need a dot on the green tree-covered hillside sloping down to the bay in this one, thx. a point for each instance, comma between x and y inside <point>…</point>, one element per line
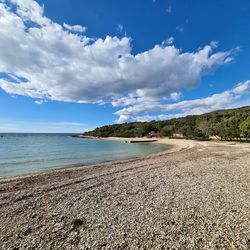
<point>233,124</point>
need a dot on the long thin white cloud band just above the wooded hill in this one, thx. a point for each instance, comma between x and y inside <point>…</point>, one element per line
<point>227,99</point>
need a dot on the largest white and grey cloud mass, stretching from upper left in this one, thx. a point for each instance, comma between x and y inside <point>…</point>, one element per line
<point>48,61</point>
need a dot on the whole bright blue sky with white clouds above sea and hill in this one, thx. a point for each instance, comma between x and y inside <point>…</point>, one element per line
<point>71,66</point>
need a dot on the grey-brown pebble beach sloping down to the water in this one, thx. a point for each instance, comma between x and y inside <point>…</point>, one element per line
<point>196,198</point>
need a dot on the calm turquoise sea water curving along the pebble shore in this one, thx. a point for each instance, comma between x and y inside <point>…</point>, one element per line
<point>29,153</point>
